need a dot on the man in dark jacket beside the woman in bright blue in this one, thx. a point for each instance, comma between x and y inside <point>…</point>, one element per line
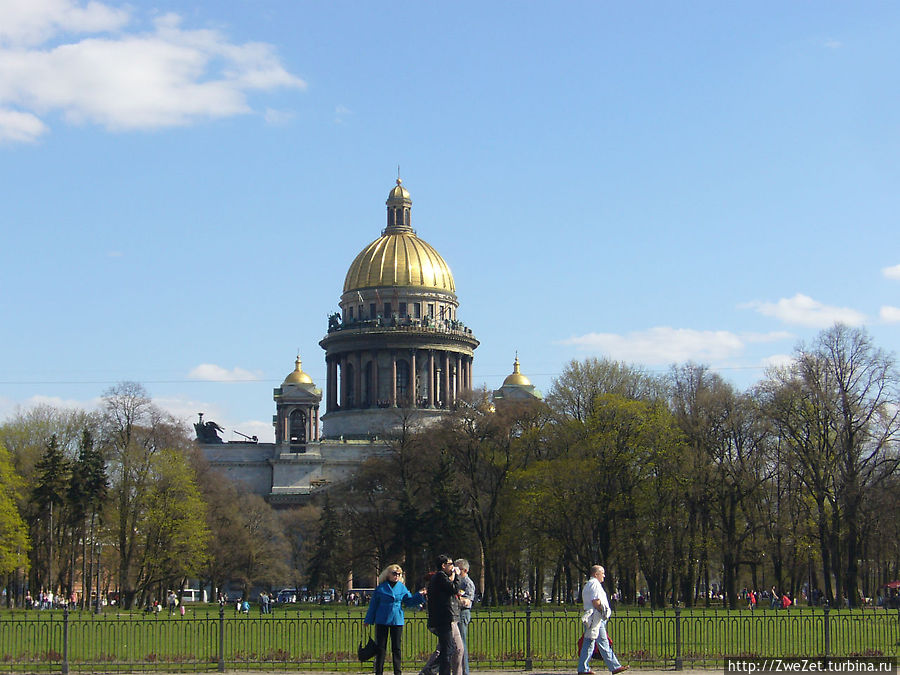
<point>443,615</point>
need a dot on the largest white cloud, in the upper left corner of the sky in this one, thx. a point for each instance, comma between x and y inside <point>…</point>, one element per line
<point>167,76</point>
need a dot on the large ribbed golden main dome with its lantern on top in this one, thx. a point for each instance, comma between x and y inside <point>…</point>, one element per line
<point>398,257</point>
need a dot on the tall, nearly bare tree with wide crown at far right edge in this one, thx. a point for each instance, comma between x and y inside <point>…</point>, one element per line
<point>837,408</point>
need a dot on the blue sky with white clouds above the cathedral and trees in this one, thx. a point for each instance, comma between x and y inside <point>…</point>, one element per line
<point>184,184</point>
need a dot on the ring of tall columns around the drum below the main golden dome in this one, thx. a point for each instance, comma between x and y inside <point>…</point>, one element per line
<point>432,378</point>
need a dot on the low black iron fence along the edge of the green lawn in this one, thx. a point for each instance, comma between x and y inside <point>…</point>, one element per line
<point>63,641</point>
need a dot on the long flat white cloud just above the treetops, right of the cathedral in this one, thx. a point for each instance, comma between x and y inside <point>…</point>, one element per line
<point>662,345</point>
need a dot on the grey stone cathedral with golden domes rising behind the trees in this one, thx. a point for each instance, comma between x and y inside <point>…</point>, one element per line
<point>396,353</point>
